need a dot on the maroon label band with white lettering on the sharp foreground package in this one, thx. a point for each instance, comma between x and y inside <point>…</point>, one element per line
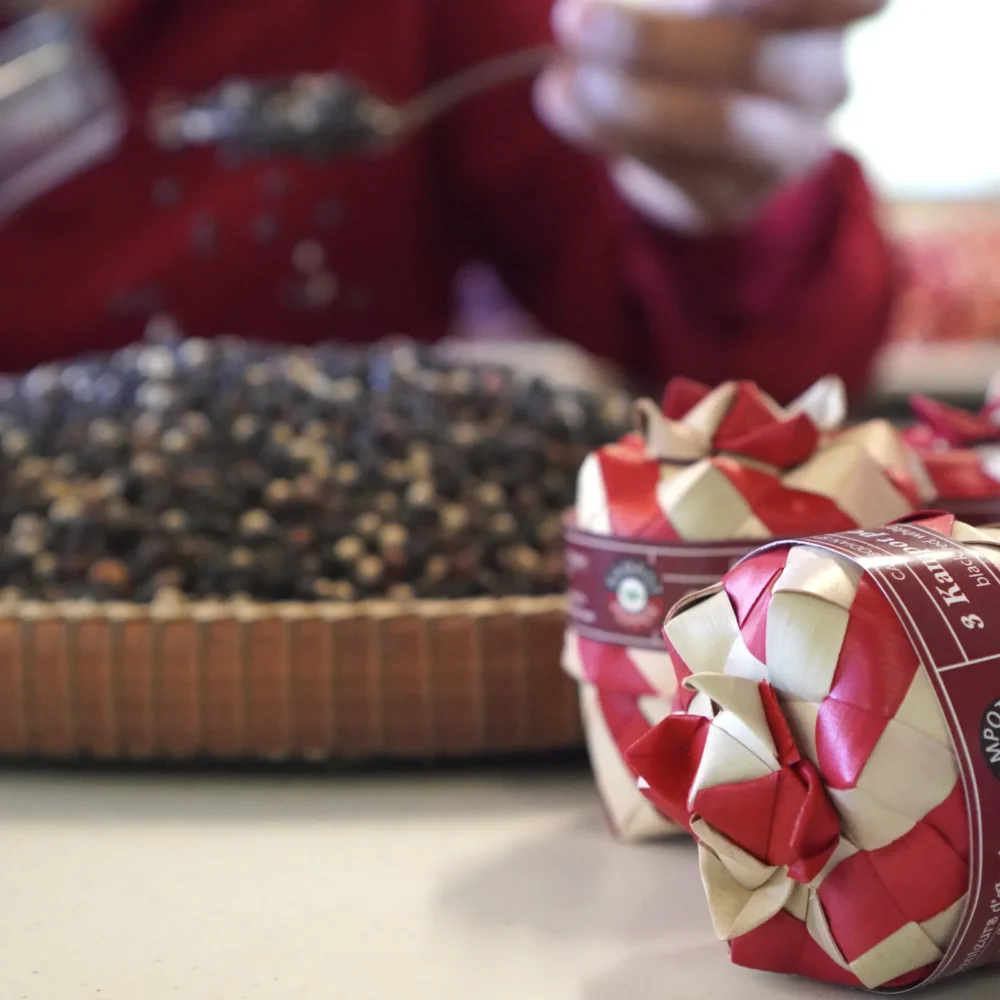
<point>948,600</point>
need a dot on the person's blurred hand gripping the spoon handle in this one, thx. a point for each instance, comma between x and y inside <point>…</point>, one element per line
<point>706,108</point>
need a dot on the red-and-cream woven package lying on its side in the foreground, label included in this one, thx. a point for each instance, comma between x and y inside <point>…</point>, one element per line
<point>838,756</point>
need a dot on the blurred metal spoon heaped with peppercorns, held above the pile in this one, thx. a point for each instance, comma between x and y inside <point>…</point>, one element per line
<point>324,115</point>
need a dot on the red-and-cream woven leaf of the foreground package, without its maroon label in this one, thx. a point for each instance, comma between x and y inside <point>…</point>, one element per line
<point>814,766</point>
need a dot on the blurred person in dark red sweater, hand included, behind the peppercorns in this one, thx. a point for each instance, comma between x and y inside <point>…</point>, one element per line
<point>673,206</point>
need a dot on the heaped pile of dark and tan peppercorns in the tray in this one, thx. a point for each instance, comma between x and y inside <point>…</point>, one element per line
<point>214,469</point>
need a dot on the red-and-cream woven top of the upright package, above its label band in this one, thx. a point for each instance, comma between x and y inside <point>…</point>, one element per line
<point>729,463</point>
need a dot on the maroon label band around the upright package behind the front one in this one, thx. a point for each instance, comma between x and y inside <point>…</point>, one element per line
<point>621,589</point>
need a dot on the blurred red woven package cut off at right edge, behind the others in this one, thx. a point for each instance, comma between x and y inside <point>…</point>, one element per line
<point>961,452</point>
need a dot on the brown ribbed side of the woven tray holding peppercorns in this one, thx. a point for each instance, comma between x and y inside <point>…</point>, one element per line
<point>310,682</point>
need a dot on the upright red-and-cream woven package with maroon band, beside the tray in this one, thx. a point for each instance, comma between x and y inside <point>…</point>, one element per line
<point>710,475</point>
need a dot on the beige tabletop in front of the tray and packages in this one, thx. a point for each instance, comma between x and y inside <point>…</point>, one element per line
<point>462,887</point>
